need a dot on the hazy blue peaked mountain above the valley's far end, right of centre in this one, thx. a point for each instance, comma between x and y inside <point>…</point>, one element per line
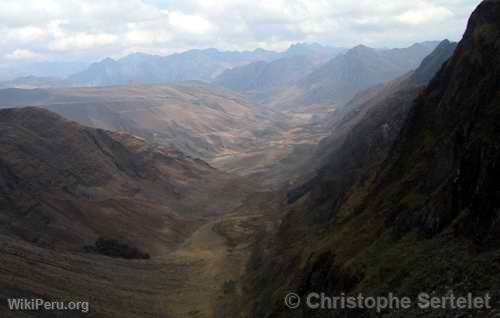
<point>337,81</point>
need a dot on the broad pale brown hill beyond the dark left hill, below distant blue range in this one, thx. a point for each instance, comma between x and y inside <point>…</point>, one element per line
<point>199,119</point>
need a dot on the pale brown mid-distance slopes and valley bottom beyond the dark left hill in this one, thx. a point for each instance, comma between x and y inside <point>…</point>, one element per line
<point>204,121</point>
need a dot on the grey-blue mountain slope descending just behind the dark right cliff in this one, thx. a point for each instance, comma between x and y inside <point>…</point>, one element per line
<point>363,131</point>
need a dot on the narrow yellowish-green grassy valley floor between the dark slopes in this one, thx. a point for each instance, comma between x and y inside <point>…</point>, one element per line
<point>205,271</point>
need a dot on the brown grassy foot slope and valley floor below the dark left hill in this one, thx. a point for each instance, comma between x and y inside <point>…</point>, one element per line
<point>195,280</point>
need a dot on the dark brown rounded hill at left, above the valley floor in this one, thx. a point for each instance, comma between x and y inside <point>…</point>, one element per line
<point>59,178</point>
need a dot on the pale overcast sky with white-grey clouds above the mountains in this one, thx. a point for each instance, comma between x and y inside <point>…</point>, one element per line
<point>37,30</point>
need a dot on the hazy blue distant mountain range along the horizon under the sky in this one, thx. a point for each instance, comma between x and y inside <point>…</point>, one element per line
<point>242,71</point>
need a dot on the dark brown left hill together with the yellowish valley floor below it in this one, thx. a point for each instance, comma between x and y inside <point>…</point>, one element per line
<point>196,223</point>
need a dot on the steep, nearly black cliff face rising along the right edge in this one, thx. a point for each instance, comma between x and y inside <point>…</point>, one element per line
<point>448,152</point>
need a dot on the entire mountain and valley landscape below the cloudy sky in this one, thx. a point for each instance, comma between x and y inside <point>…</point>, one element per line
<point>212,184</point>
